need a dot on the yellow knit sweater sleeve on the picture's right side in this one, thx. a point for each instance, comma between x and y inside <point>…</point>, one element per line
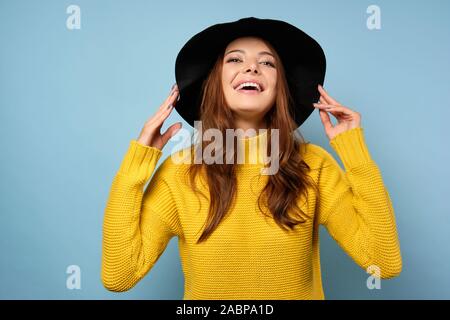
<point>355,206</point>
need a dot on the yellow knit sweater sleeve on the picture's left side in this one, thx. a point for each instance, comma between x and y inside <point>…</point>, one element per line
<point>137,225</point>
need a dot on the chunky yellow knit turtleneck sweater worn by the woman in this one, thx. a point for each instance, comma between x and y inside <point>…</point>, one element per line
<point>247,256</point>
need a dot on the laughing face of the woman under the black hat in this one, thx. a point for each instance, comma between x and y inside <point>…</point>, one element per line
<point>248,59</point>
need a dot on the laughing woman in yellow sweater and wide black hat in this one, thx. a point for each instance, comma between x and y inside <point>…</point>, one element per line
<point>243,234</point>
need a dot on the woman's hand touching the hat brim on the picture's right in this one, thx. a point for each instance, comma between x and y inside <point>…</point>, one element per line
<point>347,118</point>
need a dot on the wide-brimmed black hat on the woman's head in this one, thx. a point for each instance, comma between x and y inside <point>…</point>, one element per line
<point>303,59</point>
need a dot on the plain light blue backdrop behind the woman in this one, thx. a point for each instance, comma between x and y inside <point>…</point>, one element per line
<point>71,101</point>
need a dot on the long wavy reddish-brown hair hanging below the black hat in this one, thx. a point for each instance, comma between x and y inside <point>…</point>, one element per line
<point>284,188</point>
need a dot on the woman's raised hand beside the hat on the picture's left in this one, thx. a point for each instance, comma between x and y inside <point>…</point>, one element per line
<point>150,134</point>
